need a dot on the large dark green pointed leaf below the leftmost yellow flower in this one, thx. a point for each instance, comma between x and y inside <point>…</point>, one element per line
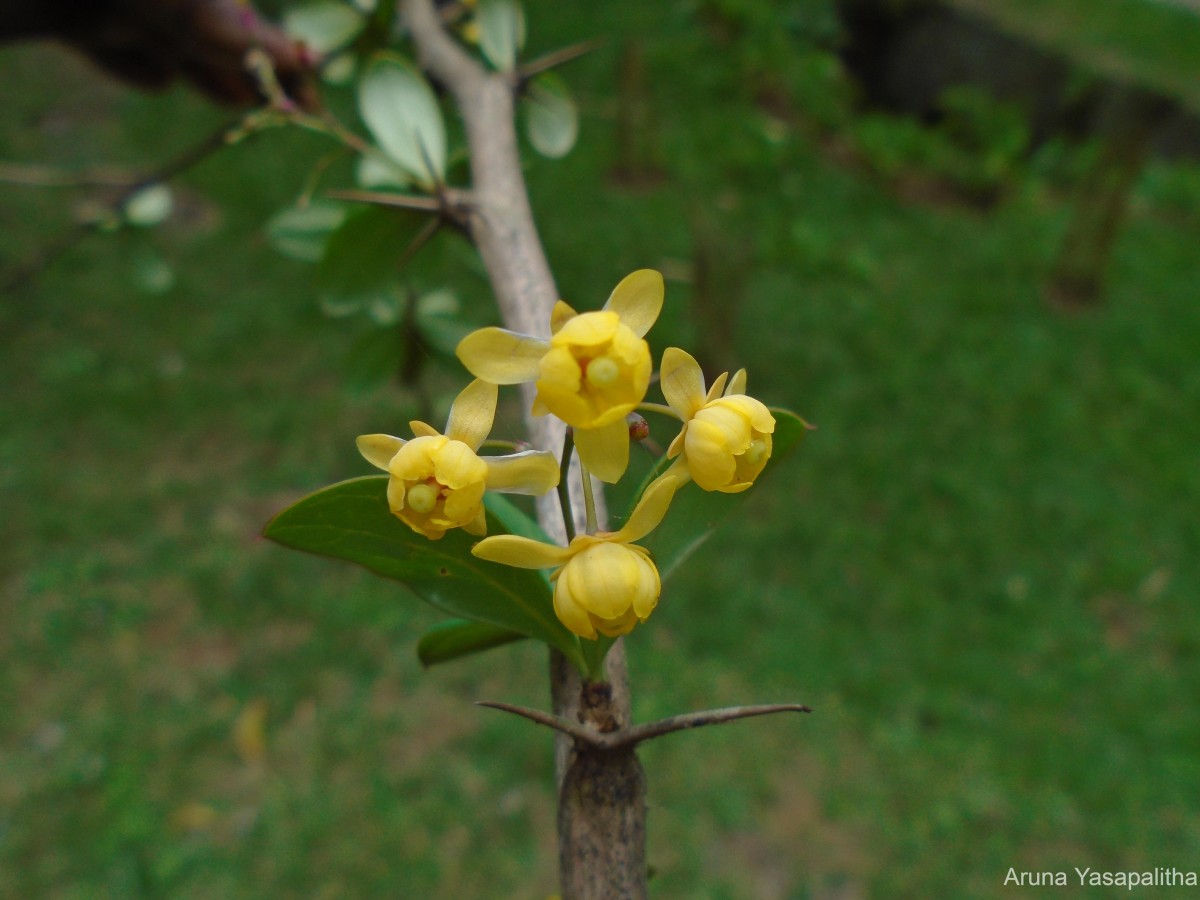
<point>352,521</point>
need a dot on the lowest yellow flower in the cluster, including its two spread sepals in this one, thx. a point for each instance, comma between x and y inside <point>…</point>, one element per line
<point>603,583</point>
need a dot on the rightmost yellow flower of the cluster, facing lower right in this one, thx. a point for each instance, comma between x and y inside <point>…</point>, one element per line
<point>725,441</point>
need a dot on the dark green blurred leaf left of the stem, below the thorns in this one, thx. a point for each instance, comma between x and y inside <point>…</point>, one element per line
<point>359,265</point>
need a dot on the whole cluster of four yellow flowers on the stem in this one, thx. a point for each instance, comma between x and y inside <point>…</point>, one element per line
<point>592,373</point>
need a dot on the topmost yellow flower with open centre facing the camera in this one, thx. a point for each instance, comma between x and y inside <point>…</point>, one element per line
<point>592,373</point>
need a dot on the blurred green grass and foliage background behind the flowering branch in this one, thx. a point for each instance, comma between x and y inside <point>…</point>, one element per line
<point>981,571</point>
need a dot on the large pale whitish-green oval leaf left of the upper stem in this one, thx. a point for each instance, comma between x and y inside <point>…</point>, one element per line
<point>403,113</point>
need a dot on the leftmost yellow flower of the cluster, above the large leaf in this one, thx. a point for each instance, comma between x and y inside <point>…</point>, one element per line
<point>437,482</point>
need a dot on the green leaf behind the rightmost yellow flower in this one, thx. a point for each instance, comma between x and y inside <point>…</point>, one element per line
<point>695,514</point>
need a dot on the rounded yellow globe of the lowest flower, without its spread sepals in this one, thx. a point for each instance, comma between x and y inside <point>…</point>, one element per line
<point>608,587</point>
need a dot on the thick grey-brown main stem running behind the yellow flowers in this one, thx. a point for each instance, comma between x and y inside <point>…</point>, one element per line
<point>597,844</point>
